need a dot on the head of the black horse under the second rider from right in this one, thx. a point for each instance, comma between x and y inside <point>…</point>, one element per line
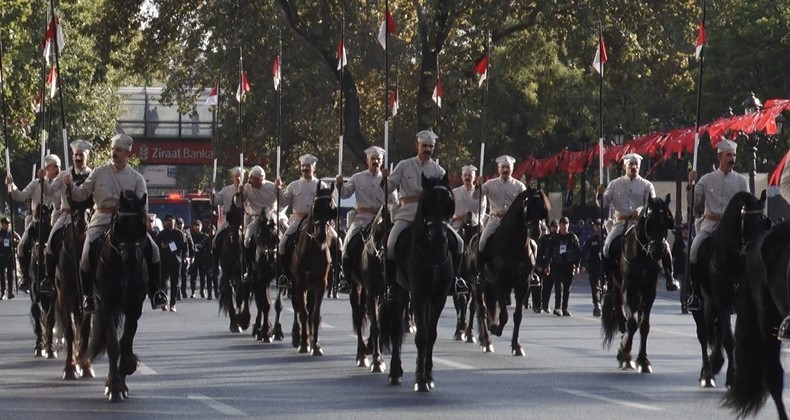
<point>652,226</point>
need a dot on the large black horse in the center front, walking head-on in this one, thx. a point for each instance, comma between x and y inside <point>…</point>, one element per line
<point>425,271</point>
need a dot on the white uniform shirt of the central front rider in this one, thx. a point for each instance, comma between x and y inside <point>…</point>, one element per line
<point>406,178</point>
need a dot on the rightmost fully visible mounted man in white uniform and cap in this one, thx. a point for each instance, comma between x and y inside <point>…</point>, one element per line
<point>712,194</point>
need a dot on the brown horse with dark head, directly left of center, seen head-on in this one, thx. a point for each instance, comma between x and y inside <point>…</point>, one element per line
<point>310,265</point>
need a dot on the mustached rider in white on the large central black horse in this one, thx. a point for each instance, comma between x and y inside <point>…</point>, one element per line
<point>406,179</point>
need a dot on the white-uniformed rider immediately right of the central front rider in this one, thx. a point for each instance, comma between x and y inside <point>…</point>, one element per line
<point>501,192</point>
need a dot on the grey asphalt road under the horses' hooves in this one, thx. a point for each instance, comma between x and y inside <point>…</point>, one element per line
<point>193,367</point>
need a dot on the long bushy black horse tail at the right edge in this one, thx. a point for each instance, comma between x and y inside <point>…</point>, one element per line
<point>747,395</point>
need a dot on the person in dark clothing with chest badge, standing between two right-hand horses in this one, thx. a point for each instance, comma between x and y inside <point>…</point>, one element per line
<point>563,257</point>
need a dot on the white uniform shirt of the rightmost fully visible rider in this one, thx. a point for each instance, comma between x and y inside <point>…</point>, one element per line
<point>714,191</point>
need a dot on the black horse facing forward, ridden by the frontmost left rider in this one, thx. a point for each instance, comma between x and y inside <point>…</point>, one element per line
<point>121,285</point>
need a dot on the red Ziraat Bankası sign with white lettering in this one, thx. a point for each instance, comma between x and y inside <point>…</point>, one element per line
<point>173,152</point>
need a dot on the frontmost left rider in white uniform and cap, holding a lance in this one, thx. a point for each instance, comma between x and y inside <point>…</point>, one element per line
<point>107,183</point>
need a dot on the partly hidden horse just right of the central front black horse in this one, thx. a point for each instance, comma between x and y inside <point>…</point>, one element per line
<point>465,305</point>
